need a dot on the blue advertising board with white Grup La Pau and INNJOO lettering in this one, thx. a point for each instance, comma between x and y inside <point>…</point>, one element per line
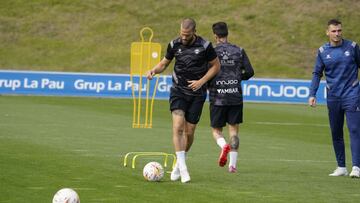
<point>119,85</point>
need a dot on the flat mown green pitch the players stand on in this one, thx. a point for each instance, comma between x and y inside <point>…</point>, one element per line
<point>48,143</point>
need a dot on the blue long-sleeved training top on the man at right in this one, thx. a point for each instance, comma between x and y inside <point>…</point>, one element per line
<point>340,64</point>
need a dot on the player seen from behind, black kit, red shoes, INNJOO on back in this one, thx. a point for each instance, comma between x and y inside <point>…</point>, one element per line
<point>226,100</point>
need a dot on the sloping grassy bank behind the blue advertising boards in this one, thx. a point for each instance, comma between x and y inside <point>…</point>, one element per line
<point>281,37</point>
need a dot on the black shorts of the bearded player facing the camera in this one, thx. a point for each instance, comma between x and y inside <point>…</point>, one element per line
<point>191,105</point>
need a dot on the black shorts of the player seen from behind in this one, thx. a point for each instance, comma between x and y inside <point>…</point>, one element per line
<point>220,115</point>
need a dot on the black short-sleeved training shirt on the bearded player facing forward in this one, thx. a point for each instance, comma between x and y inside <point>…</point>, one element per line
<point>191,63</point>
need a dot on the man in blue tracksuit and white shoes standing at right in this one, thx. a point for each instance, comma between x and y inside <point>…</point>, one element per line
<point>339,59</point>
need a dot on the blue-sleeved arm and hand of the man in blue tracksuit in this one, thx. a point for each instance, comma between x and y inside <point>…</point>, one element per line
<point>315,82</point>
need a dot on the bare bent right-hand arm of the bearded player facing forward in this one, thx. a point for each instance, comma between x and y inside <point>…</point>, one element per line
<point>212,71</point>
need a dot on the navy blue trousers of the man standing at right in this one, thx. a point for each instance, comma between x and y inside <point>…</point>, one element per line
<point>350,109</point>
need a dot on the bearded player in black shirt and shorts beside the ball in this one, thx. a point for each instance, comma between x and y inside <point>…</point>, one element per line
<point>196,63</point>
